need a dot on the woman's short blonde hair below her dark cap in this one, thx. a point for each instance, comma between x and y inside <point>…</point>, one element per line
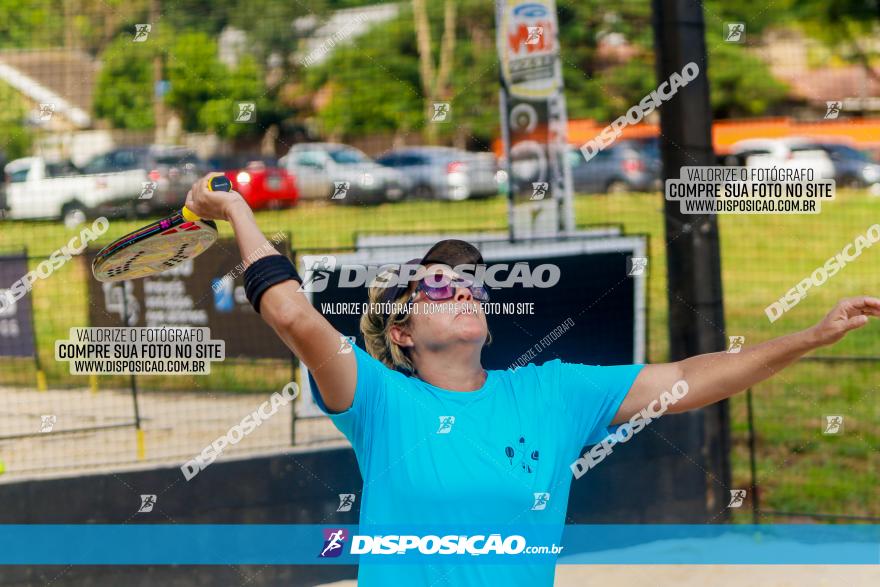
<point>376,329</point>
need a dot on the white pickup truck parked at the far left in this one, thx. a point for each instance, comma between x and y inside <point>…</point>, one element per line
<point>37,189</point>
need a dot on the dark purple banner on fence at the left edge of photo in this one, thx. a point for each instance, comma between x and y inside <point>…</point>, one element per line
<point>16,325</point>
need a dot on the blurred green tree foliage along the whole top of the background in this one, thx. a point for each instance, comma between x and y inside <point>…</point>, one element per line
<point>373,84</point>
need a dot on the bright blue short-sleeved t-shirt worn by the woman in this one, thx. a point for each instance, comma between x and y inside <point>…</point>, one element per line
<point>434,456</point>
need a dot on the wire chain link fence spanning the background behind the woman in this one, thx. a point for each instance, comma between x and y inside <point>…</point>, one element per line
<point>345,121</point>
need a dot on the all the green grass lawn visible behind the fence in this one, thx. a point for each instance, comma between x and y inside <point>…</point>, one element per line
<point>763,256</point>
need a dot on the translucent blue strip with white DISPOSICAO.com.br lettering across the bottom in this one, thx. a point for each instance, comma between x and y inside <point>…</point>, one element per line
<point>314,544</point>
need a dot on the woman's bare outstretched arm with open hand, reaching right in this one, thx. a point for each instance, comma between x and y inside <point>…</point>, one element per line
<point>715,376</point>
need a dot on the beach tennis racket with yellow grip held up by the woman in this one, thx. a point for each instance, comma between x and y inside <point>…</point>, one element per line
<point>160,246</point>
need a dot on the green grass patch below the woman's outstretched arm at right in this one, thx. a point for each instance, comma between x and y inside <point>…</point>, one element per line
<point>798,468</point>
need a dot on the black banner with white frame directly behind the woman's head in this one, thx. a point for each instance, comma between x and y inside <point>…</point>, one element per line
<point>610,302</point>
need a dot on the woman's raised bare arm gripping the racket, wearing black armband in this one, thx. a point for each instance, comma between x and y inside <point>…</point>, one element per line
<point>302,328</point>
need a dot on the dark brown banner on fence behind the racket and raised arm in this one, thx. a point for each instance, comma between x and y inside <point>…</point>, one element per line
<point>207,291</point>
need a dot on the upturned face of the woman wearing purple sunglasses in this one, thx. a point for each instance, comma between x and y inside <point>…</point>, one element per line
<point>434,325</point>
